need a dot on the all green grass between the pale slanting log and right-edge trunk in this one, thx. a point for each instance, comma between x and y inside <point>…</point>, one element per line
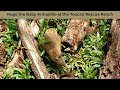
<point>91,53</point>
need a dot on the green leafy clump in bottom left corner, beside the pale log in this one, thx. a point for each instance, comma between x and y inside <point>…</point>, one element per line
<point>20,73</point>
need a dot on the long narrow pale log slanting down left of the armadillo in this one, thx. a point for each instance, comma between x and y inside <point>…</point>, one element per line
<point>28,41</point>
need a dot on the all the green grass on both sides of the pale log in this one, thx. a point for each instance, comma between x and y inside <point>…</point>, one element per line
<point>90,53</point>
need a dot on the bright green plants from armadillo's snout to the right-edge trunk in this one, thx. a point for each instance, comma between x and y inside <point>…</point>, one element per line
<point>89,60</point>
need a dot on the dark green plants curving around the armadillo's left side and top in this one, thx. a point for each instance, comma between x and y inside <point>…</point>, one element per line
<point>44,24</point>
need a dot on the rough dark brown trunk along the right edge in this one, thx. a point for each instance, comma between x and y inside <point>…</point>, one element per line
<point>111,64</point>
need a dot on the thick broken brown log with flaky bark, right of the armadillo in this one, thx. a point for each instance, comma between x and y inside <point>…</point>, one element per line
<point>76,31</point>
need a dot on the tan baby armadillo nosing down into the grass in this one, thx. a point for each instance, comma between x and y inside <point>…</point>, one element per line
<point>53,46</point>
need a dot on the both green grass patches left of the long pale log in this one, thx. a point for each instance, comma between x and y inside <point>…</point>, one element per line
<point>12,41</point>
